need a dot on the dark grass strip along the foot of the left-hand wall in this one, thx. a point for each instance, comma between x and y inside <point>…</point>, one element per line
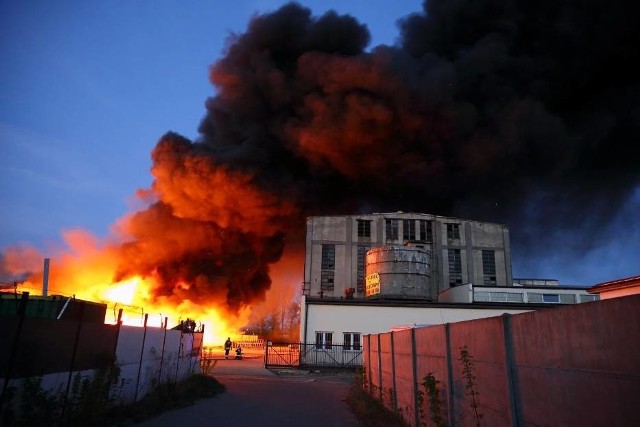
<point>165,398</point>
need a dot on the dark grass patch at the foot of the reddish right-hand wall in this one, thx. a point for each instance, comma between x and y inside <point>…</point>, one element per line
<point>368,410</point>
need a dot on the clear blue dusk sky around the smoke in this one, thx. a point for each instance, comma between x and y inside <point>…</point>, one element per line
<point>87,88</point>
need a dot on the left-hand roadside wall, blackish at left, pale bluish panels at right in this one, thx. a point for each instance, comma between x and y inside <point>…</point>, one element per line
<point>145,356</point>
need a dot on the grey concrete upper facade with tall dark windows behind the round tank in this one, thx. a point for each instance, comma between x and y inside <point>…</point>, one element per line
<point>460,251</point>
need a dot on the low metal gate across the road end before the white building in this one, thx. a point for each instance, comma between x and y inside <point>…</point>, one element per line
<point>310,355</point>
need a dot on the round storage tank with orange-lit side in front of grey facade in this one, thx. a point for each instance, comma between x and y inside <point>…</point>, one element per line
<point>399,272</point>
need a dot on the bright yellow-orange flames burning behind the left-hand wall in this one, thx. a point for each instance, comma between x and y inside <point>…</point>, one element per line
<point>86,270</point>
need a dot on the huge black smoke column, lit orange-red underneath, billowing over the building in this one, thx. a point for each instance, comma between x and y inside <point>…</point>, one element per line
<point>519,112</point>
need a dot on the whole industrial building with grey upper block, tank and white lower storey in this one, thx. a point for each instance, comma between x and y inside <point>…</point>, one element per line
<point>381,272</point>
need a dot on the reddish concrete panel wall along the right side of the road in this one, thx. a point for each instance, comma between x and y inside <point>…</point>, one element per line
<point>573,366</point>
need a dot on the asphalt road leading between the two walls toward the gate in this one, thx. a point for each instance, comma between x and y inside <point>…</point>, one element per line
<point>258,397</point>
